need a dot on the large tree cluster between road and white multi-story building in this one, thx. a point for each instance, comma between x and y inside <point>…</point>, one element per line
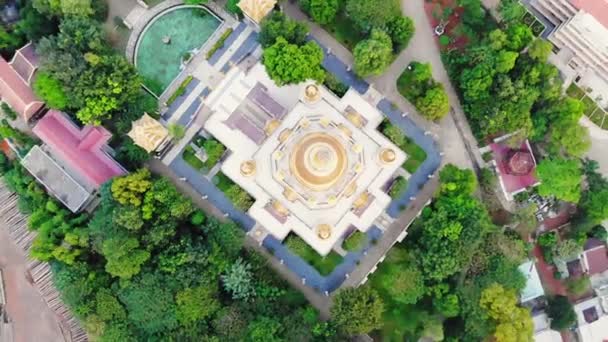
<point>507,86</point>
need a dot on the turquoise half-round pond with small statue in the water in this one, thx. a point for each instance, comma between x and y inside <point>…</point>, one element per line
<point>167,39</point>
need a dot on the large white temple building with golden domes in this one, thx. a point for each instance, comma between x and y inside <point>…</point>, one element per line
<point>315,164</point>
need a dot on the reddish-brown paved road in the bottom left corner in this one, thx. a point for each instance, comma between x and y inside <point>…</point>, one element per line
<point>33,321</point>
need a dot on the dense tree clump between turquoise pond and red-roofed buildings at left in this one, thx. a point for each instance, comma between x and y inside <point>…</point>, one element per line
<point>96,81</point>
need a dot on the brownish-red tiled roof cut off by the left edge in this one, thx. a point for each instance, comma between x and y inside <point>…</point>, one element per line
<point>14,82</point>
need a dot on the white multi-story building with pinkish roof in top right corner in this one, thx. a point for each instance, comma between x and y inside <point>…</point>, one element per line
<point>578,29</point>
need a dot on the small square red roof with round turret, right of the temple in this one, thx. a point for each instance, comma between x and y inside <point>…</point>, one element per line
<point>513,183</point>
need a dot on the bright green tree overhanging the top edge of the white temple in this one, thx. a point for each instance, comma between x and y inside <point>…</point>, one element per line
<point>291,64</point>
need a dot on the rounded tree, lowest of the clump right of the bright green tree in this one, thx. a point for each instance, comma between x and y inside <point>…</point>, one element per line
<point>373,55</point>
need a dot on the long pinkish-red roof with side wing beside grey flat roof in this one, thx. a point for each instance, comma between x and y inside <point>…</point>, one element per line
<point>83,150</point>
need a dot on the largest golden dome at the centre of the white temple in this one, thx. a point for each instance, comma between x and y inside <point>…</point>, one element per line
<point>318,161</point>
